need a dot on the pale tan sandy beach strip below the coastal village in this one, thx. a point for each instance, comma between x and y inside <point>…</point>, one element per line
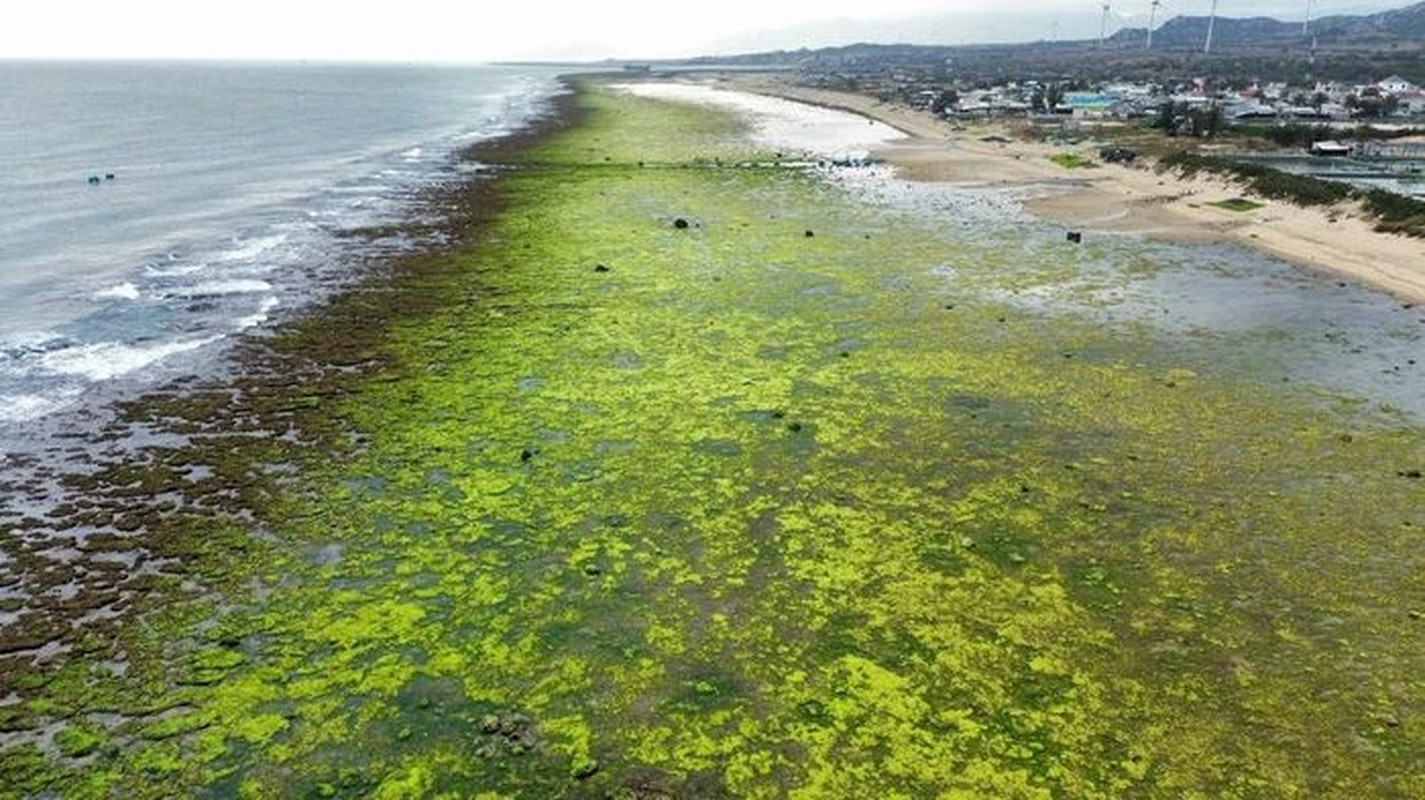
<point>1118,200</point>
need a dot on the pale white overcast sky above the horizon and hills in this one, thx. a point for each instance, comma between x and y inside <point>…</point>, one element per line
<point>470,31</point>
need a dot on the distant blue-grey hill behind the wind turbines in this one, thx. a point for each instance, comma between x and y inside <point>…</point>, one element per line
<point>1400,25</point>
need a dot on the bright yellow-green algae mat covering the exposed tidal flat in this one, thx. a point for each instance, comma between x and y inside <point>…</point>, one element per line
<point>783,501</point>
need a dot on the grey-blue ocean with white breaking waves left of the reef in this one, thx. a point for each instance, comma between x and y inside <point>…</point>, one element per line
<point>150,213</point>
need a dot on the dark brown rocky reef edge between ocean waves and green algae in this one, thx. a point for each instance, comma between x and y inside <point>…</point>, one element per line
<point>73,487</point>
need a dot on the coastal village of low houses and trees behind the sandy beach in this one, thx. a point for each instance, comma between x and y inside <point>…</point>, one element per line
<point>1357,132</point>
